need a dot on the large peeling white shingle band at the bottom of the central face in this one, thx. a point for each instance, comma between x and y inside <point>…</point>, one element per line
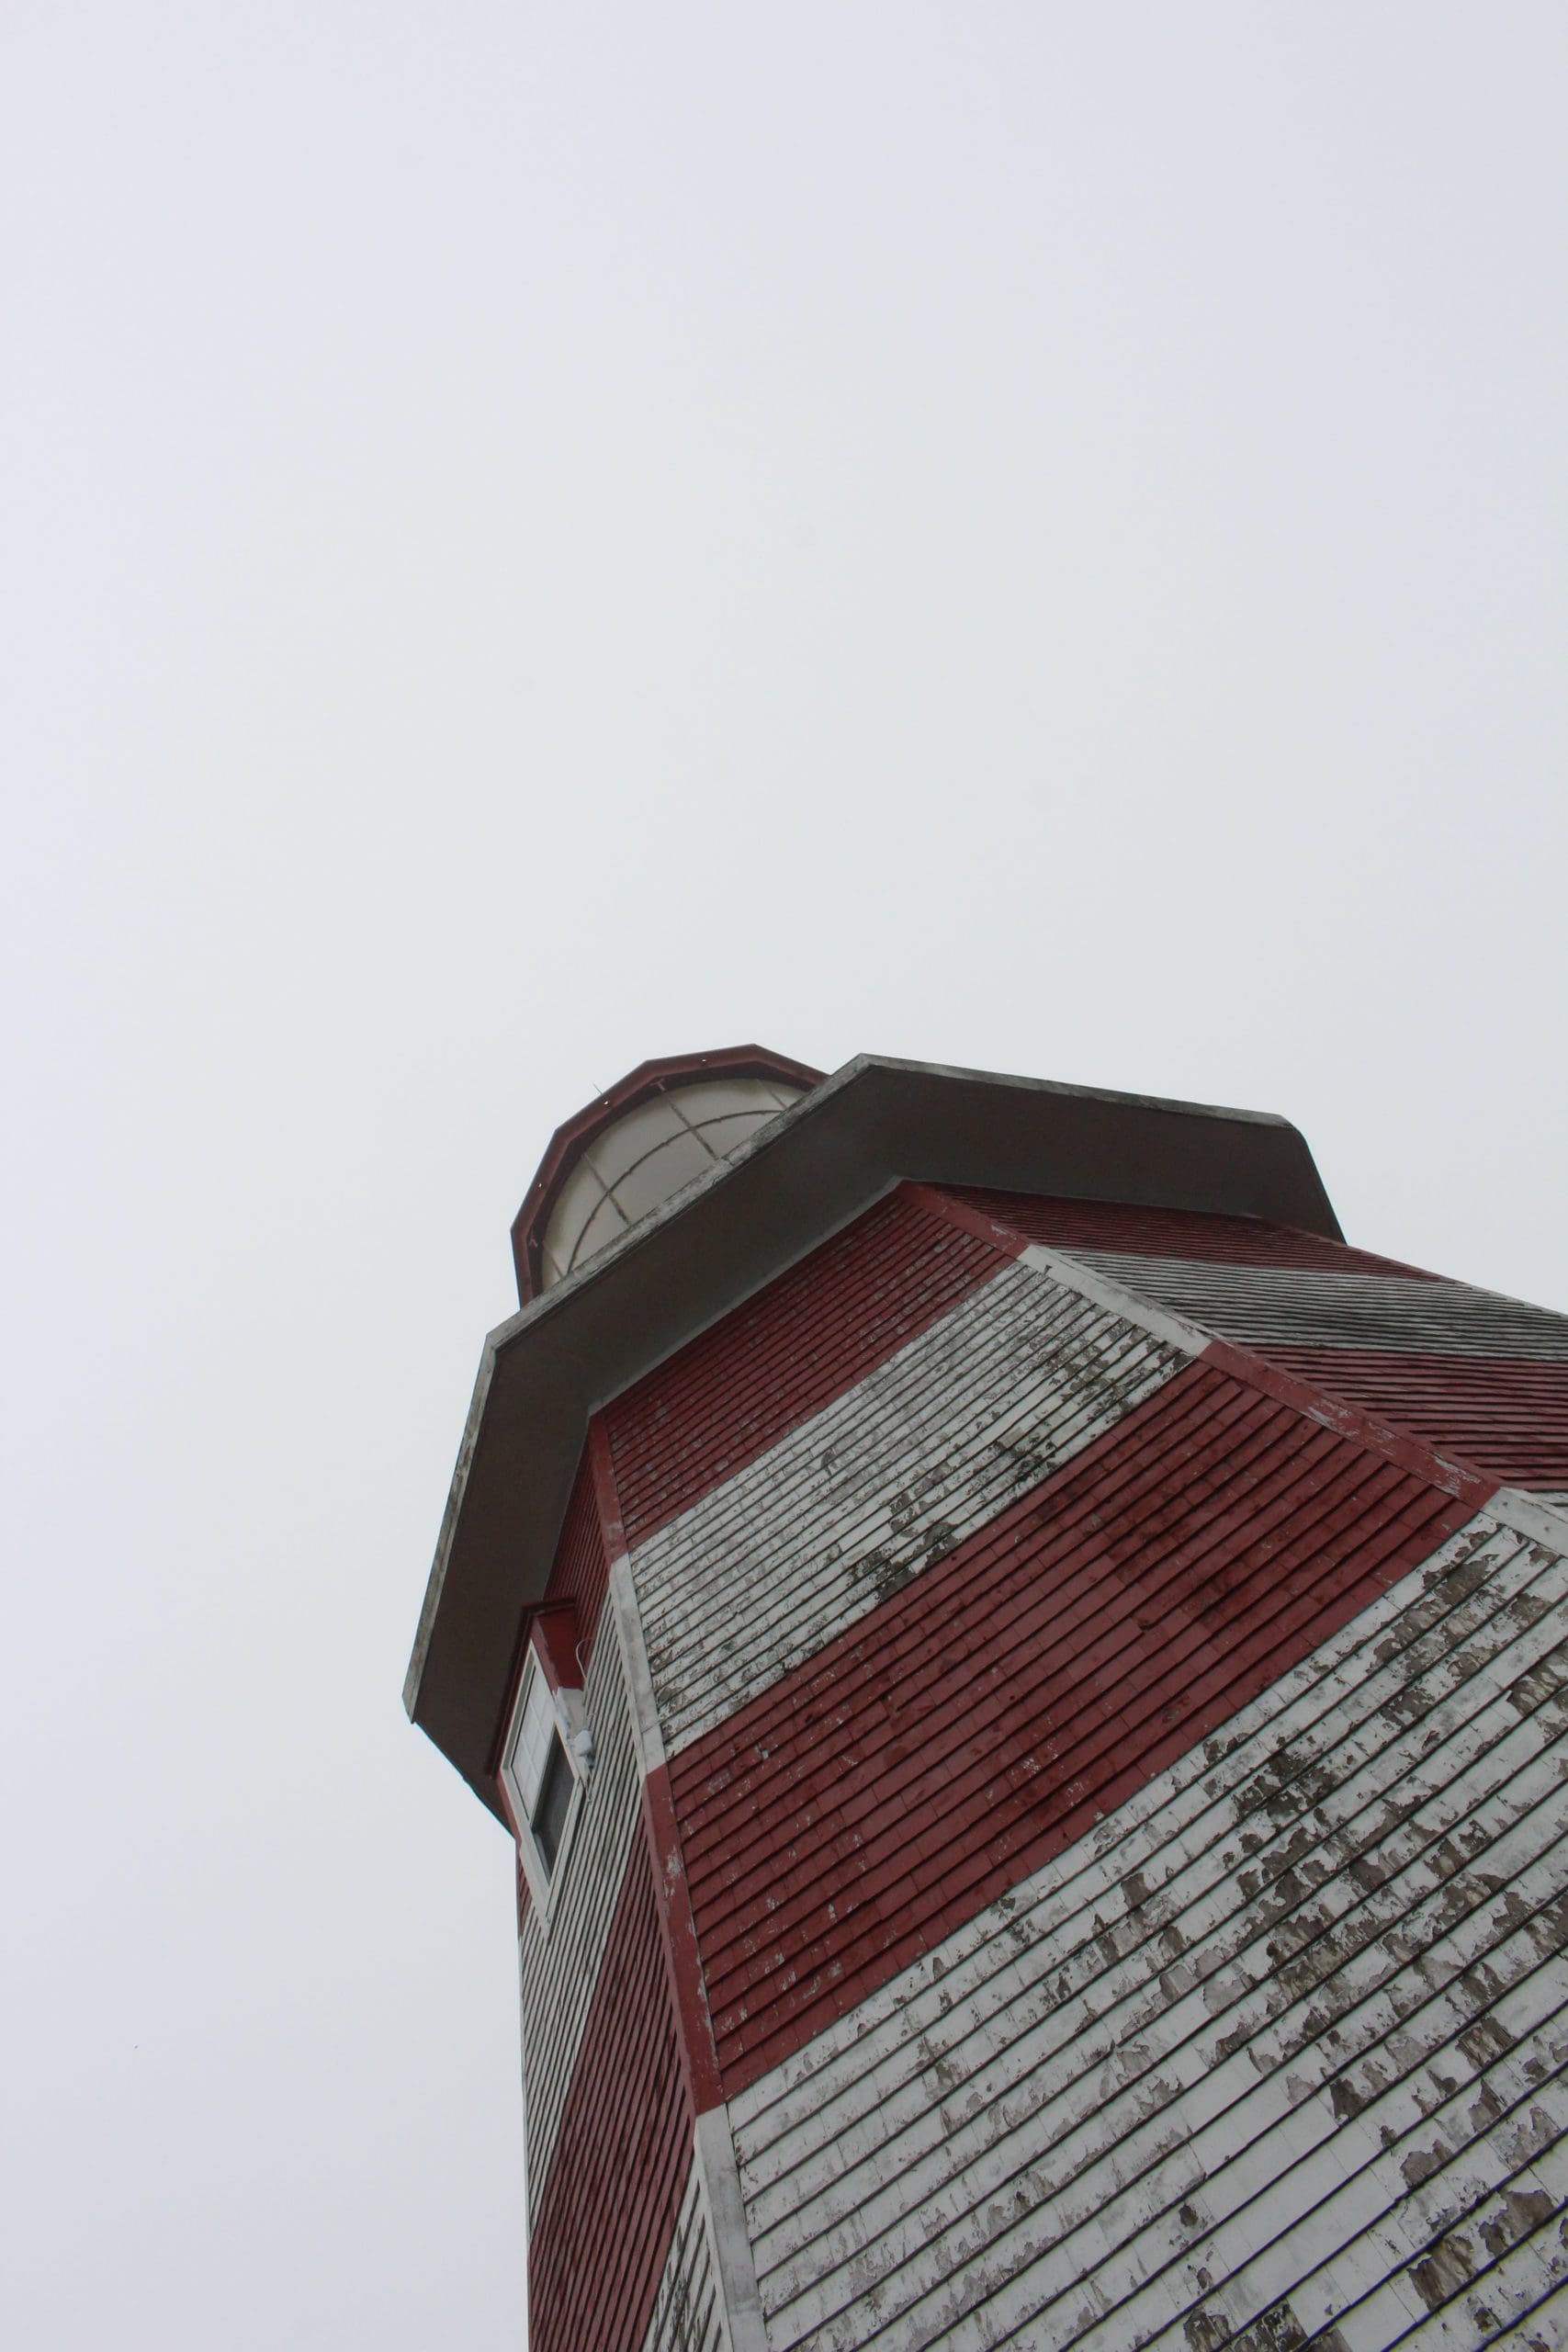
<point>1280,2043</point>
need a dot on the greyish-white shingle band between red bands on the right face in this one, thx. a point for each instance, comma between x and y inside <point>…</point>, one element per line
<point>1299,1309</point>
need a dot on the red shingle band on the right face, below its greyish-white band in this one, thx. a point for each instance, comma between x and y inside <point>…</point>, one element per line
<point>1506,1415</point>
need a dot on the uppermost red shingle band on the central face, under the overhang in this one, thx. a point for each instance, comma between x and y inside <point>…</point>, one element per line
<point>784,1356</point>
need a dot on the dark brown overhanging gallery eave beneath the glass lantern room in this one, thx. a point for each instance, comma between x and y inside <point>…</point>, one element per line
<point>735,1229</point>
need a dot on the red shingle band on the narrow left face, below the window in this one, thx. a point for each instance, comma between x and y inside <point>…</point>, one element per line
<point>622,2156</point>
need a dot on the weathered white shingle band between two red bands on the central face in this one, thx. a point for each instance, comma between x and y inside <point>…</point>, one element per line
<point>791,1551</point>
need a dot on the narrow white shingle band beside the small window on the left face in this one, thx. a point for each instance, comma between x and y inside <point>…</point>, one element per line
<point>561,1963</point>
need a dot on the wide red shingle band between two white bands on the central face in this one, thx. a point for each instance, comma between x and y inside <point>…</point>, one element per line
<point>986,1716</point>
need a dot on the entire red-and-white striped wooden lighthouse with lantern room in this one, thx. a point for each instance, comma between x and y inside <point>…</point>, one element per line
<point>1028,1688</point>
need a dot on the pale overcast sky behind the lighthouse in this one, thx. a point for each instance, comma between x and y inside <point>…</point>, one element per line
<point>537,537</point>
